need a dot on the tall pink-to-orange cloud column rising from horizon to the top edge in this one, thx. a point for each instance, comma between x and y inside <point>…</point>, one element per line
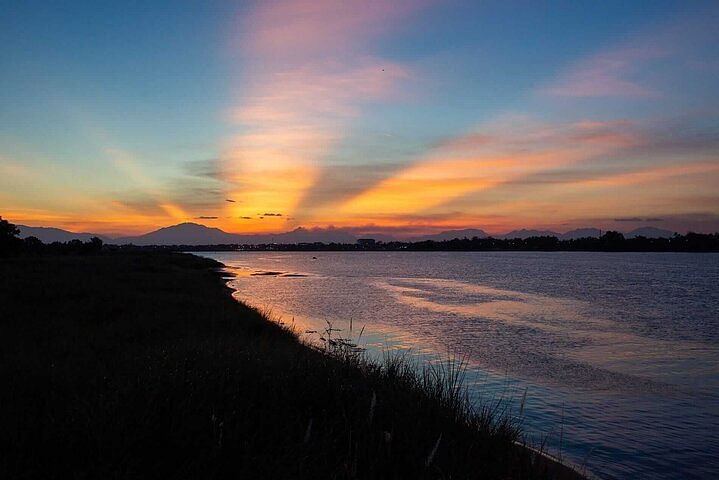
<point>313,72</point>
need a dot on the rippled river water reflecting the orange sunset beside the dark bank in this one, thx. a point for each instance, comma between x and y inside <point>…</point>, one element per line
<point>618,353</point>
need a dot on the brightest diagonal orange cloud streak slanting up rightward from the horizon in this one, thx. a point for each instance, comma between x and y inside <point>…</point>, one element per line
<point>499,152</point>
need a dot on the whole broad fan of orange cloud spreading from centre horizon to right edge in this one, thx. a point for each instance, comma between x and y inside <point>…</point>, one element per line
<point>512,170</point>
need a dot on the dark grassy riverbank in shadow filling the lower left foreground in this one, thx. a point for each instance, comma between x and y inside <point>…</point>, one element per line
<point>141,365</point>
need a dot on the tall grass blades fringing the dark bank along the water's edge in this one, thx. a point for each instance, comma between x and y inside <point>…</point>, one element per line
<point>440,382</point>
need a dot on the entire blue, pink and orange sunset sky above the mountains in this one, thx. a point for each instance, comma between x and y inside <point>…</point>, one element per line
<point>401,117</point>
